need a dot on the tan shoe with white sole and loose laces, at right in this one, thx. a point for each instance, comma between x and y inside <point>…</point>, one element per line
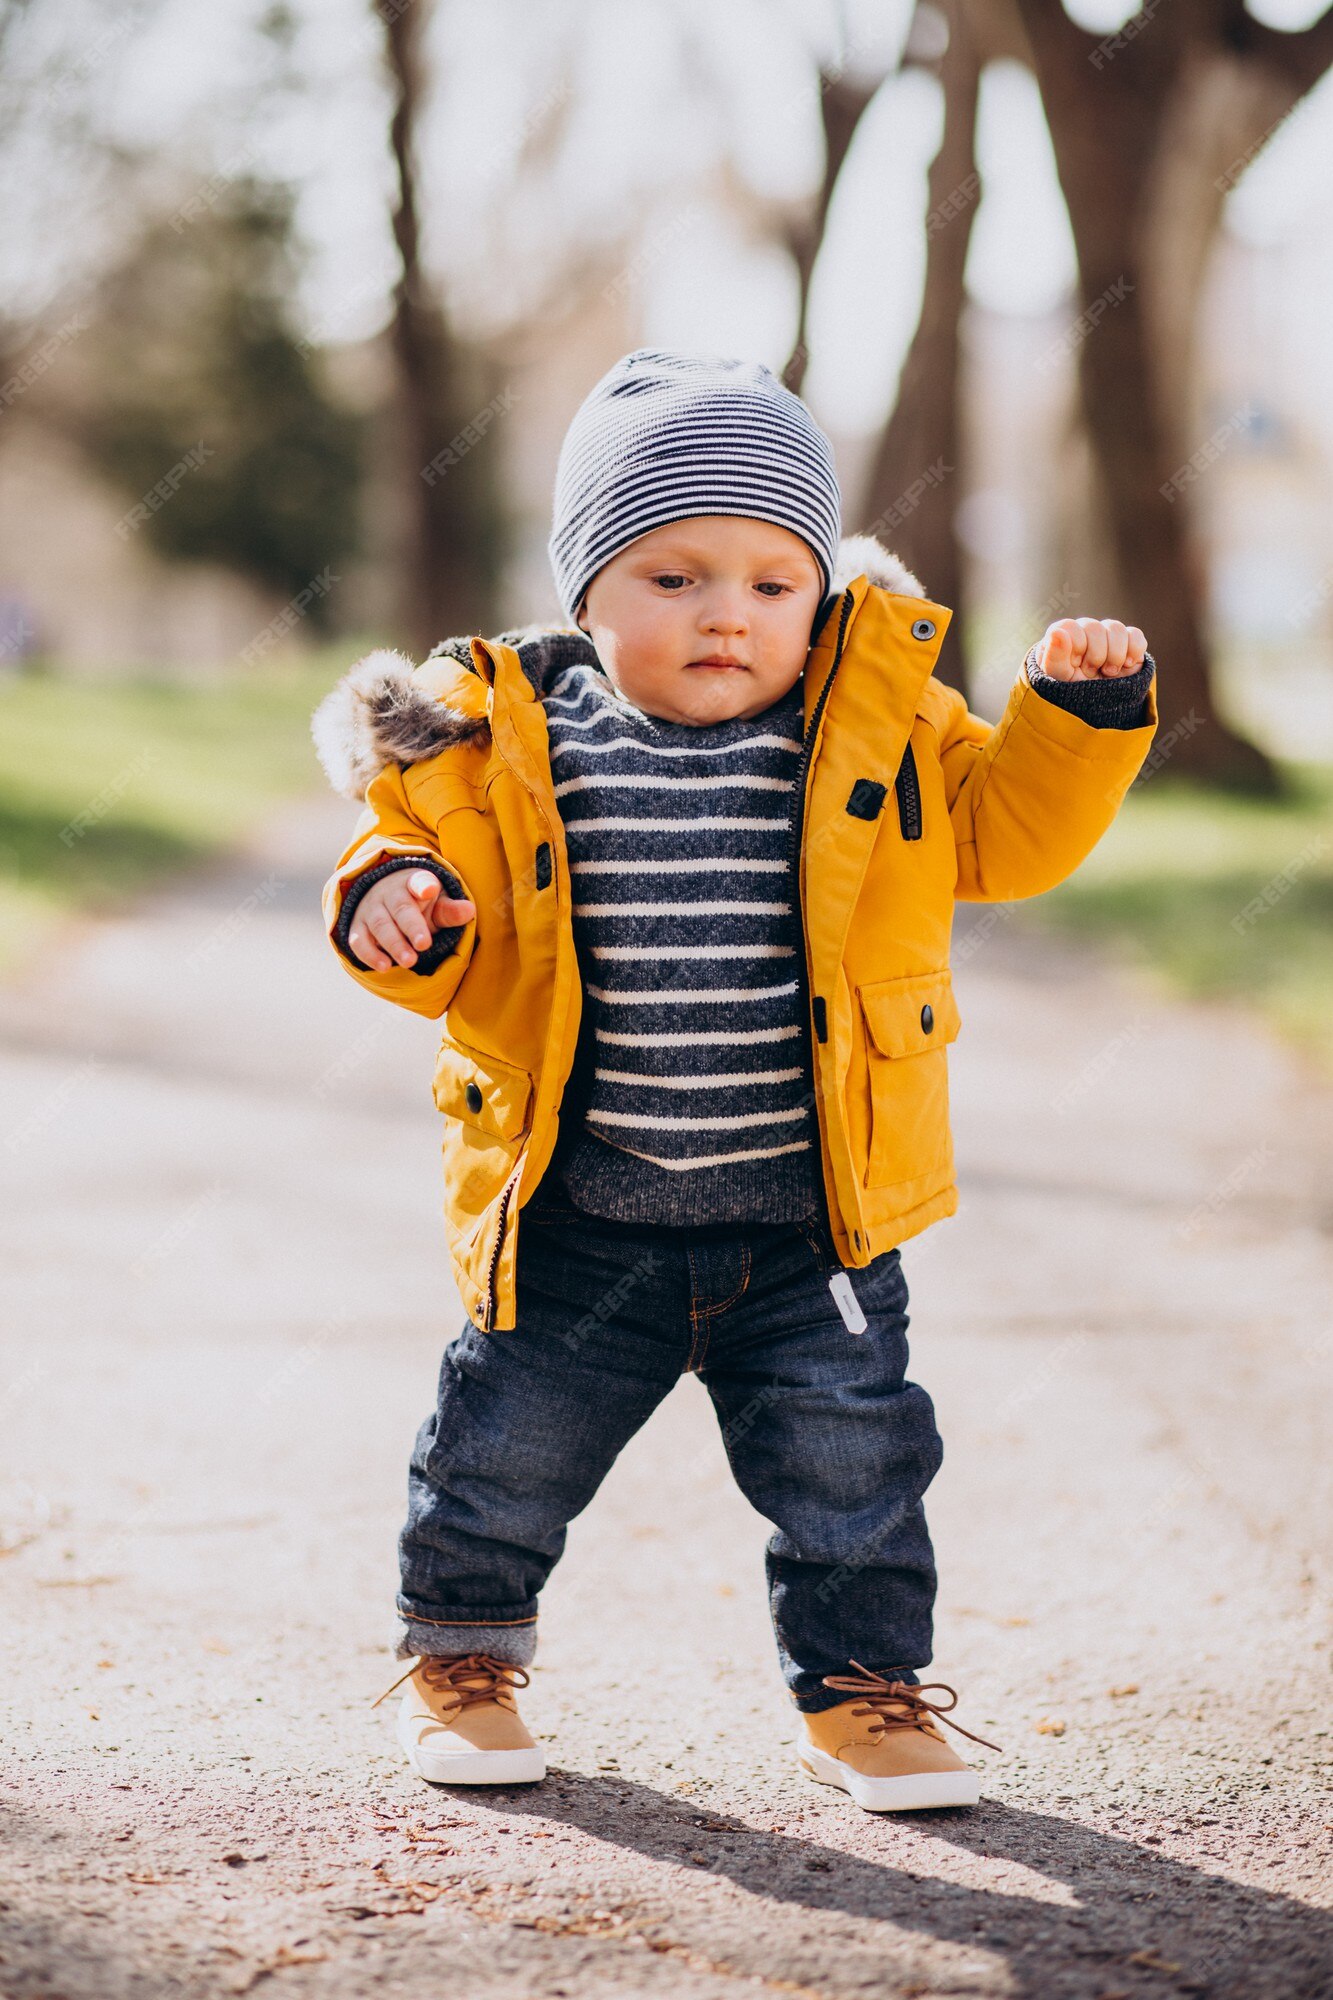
<point>884,1747</point>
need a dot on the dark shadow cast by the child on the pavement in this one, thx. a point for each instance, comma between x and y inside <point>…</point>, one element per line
<point>1132,1919</point>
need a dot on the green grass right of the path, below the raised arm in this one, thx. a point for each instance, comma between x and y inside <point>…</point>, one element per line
<point>1174,879</point>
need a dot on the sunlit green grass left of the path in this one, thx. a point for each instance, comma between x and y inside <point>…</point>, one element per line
<point>111,787</point>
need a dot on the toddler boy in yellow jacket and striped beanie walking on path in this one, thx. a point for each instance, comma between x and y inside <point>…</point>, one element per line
<point>680,881</point>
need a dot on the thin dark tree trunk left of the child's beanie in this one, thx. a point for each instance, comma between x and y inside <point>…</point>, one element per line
<point>451,407</point>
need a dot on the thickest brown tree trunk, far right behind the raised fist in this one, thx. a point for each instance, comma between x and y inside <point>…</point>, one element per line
<point>1150,129</point>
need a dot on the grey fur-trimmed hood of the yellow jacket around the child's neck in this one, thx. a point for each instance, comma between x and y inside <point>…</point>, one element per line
<point>385,713</point>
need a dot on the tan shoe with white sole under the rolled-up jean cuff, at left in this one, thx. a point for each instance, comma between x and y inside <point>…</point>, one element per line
<point>459,1721</point>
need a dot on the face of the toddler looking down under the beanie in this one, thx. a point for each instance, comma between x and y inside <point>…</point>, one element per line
<point>710,585</point>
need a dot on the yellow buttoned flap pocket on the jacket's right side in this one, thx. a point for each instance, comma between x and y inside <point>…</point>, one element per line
<point>910,1025</point>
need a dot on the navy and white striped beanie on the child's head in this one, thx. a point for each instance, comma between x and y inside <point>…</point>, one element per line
<point>663,437</point>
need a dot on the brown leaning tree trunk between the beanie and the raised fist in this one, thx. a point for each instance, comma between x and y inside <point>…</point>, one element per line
<point>914,485</point>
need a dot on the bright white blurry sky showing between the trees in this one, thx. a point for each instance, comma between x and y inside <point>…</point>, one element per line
<point>641,125</point>
